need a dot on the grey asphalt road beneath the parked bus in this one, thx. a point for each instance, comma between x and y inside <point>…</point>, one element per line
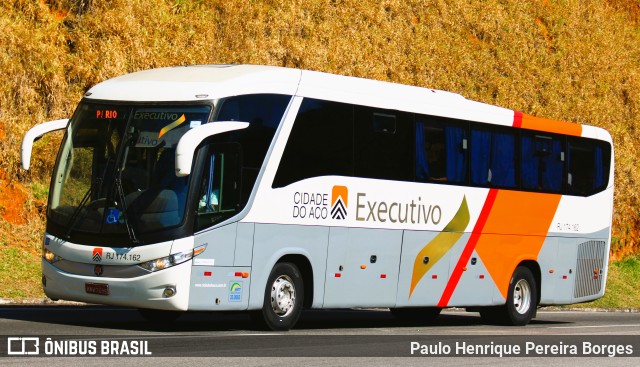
<point>322,337</point>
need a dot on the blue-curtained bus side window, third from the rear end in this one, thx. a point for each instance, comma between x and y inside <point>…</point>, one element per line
<point>493,158</point>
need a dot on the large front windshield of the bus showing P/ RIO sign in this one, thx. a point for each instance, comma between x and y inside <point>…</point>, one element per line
<point>116,169</point>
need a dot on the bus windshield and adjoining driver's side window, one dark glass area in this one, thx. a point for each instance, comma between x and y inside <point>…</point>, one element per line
<point>115,174</point>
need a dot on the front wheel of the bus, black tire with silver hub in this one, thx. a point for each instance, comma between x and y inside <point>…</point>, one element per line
<point>283,298</point>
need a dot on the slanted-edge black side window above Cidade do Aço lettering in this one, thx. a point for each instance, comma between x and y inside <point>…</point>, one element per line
<point>320,144</point>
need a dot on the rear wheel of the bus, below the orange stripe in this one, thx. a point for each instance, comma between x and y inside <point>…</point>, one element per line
<point>522,299</point>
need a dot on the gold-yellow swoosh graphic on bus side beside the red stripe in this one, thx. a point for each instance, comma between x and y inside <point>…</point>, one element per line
<point>441,244</point>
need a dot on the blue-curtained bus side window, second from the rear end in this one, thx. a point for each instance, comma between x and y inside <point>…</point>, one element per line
<point>542,163</point>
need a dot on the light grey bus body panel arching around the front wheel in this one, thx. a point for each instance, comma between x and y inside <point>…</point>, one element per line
<point>272,242</point>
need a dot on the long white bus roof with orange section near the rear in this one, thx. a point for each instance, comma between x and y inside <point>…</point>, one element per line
<point>207,82</point>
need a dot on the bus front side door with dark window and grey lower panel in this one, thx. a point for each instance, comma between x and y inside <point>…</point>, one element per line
<point>215,283</point>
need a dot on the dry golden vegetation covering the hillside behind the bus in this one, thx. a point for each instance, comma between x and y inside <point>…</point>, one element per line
<point>575,60</point>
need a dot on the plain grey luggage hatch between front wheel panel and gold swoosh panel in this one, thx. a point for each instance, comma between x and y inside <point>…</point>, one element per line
<point>362,267</point>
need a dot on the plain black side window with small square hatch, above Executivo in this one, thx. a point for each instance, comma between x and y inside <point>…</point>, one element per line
<point>383,146</point>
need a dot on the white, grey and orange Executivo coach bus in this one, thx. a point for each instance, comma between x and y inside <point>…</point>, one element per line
<point>271,190</point>
